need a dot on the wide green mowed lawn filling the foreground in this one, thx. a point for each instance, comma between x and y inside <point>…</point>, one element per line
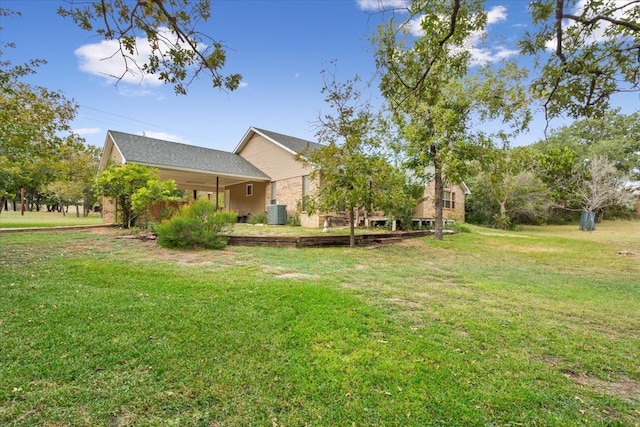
<point>535,327</point>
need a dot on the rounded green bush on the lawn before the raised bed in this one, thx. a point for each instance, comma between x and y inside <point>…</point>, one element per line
<point>197,225</point>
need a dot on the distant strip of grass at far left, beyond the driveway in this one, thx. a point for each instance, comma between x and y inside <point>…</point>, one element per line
<point>14,219</point>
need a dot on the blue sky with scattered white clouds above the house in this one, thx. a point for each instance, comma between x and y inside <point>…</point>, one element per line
<point>280,48</point>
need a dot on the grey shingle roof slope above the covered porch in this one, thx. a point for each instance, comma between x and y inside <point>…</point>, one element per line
<point>174,155</point>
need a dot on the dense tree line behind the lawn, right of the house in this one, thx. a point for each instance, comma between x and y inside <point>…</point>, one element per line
<point>592,165</point>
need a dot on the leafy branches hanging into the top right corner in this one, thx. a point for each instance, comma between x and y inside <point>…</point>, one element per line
<point>587,51</point>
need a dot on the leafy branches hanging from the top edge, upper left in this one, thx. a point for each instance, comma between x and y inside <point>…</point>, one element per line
<point>178,52</point>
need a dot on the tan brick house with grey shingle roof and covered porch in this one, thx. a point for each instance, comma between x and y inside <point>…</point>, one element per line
<point>261,173</point>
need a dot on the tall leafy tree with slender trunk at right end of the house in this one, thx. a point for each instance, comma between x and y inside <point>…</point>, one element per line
<point>433,98</point>
